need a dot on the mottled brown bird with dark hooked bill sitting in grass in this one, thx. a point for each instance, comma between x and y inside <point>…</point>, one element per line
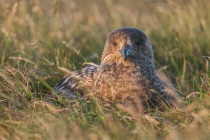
<point>126,75</point>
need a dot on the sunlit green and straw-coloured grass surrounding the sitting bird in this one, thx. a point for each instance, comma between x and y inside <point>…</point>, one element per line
<point>41,41</point>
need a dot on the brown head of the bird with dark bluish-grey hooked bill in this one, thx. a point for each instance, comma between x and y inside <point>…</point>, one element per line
<point>127,45</point>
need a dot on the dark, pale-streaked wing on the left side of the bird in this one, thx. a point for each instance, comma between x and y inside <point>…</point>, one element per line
<point>77,83</point>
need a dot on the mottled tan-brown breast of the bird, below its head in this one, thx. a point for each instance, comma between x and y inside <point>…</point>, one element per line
<point>118,82</point>
